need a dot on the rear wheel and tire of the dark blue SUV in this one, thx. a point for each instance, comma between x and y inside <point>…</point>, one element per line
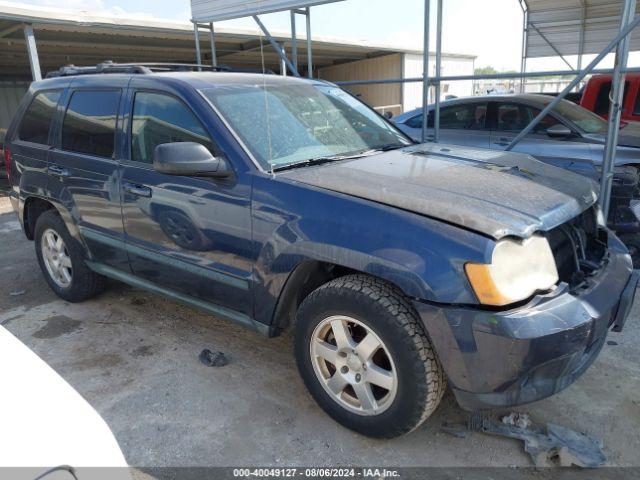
<point>62,260</point>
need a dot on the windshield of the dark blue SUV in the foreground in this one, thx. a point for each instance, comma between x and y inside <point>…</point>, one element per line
<point>292,123</point>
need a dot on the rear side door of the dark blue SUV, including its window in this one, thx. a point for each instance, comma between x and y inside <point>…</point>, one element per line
<point>83,166</point>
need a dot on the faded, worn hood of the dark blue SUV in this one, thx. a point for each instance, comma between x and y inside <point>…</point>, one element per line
<point>493,193</point>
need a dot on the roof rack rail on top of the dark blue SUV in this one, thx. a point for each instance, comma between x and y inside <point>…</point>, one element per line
<point>135,68</point>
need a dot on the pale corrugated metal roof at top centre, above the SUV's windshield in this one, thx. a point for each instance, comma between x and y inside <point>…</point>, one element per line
<point>217,10</point>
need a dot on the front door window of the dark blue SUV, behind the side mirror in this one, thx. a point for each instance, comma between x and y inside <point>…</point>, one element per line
<point>158,119</point>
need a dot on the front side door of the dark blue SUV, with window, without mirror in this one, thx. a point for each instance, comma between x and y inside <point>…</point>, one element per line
<point>189,234</point>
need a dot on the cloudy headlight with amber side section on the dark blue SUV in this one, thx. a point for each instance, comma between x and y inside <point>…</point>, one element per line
<point>518,269</point>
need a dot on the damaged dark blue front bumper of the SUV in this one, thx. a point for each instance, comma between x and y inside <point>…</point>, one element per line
<point>499,359</point>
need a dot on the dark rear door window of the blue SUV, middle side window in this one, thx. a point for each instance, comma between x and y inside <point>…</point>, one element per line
<point>90,122</point>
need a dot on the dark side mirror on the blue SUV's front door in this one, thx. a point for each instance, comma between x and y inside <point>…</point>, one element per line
<point>189,159</point>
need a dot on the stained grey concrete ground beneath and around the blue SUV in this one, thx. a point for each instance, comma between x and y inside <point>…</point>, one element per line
<point>134,357</point>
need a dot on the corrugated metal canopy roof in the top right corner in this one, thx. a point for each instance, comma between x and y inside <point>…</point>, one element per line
<point>559,22</point>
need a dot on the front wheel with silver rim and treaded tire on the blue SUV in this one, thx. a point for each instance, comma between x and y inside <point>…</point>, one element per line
<point>365,358</point>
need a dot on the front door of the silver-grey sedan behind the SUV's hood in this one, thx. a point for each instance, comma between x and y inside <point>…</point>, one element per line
<point>511,118</point>
